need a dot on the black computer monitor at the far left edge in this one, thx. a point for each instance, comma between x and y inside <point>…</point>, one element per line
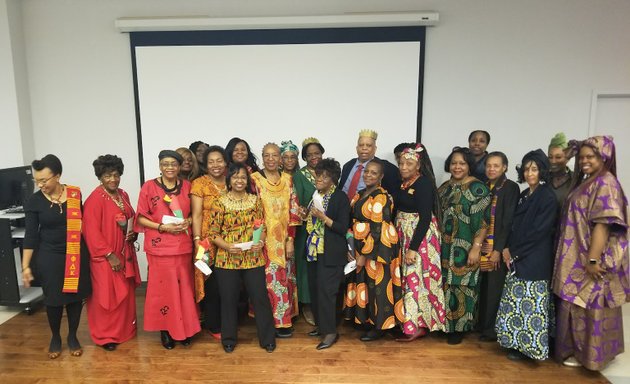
<point>16,186</point>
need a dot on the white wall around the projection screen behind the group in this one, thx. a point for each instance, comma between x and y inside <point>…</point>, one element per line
<point>522,70</point>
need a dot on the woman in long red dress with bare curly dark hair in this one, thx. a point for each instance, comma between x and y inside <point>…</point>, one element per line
<point>113,264</point>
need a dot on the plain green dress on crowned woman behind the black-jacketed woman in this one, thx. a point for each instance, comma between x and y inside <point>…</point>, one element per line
<point>304,184</point>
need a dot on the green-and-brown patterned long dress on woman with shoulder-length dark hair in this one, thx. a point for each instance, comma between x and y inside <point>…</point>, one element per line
<point>466,211</point>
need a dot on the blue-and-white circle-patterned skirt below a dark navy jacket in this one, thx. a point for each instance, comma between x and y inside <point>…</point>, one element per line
<point>524,317</point>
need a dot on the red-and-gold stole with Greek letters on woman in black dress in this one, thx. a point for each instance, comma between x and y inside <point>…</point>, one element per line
<point>73,240</point>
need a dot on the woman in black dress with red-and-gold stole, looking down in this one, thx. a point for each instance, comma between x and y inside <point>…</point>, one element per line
<point>53,234</point>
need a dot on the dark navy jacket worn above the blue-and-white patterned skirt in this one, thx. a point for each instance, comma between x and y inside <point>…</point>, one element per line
<point>531,239</point>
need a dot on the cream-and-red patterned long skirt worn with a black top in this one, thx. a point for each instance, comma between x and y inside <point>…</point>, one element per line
<point>423,295</point>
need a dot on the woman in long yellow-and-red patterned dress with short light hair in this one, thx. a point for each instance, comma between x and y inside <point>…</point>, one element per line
<point>280,208</point>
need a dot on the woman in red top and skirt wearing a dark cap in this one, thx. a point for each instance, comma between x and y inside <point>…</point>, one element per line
<point>164,217</point>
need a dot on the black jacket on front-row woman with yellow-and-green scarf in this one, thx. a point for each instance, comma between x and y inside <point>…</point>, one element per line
<point>335,245</point>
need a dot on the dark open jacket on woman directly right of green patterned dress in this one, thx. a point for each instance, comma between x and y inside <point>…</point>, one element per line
<point>507,198</point>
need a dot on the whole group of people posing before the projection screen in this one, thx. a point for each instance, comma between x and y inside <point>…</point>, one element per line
<point>532,269</point>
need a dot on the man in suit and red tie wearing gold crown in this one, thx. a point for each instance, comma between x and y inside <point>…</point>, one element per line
<point>351,182</point>
